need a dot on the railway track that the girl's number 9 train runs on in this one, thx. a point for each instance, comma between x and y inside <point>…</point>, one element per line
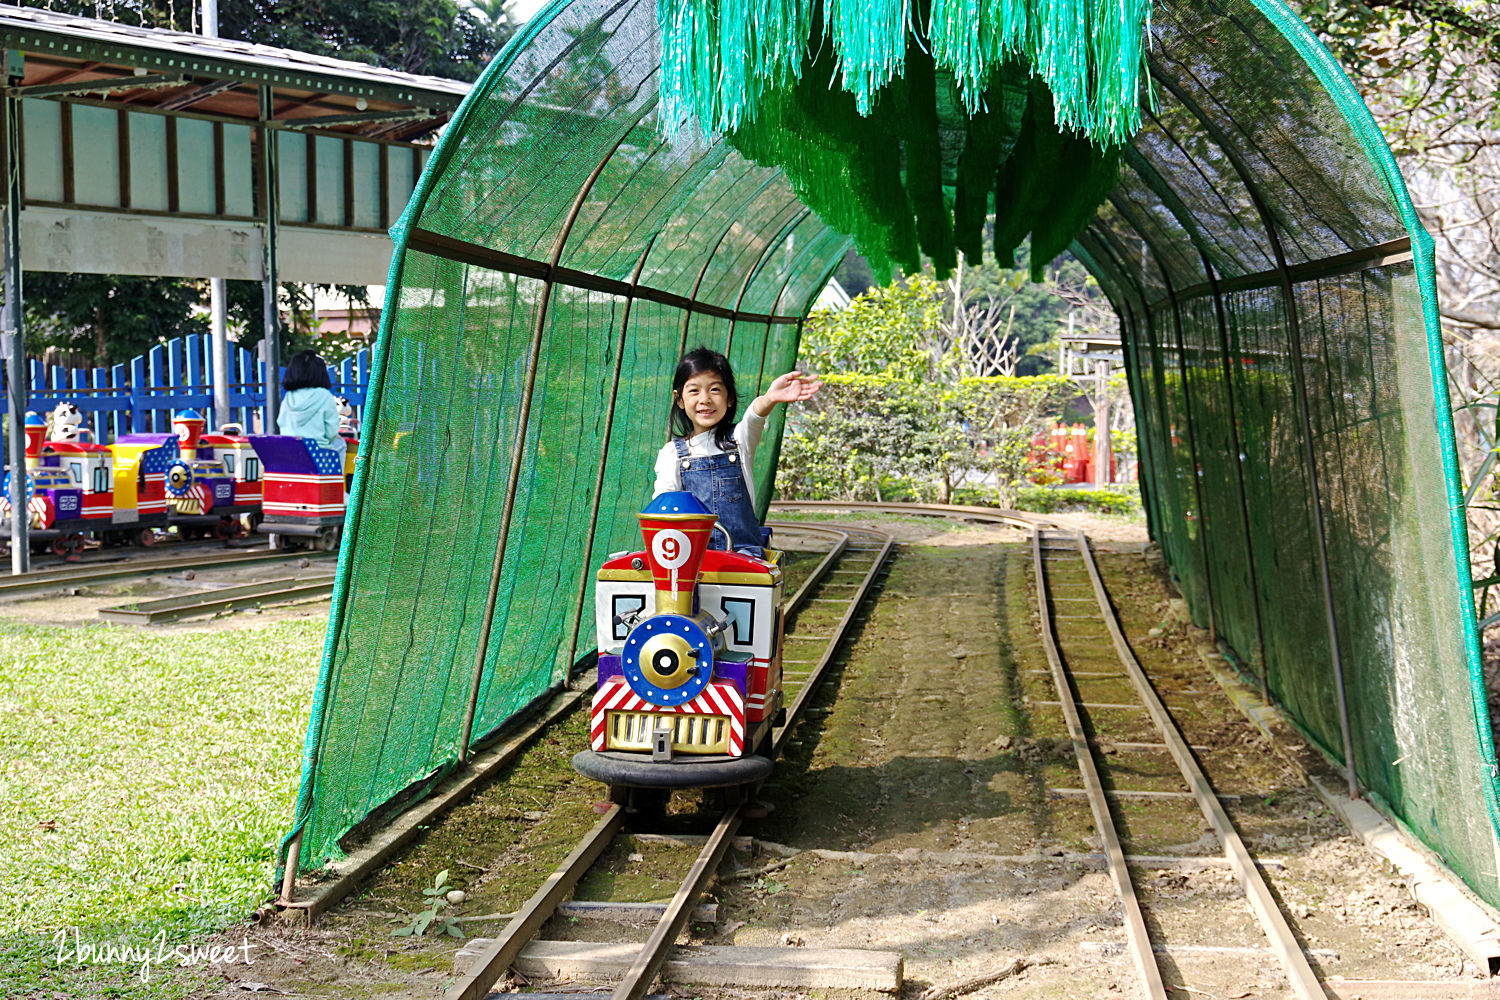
<point>818,617</point>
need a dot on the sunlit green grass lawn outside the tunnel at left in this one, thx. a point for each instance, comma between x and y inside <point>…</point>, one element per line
<point>146,780</point>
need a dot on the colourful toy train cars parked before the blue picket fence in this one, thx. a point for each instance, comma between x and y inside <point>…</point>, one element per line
<point>196,482</point>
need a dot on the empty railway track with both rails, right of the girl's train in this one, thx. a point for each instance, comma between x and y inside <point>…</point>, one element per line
<point>1100,684</point>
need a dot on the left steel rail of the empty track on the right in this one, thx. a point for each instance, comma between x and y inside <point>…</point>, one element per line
<point>1136,935</point>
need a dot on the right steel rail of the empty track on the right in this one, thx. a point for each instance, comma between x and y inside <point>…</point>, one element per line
<point>1283,942</point>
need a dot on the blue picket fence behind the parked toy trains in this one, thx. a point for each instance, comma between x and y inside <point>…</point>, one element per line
<point>142,397</point>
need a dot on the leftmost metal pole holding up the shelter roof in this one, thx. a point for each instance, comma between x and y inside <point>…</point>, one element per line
<point>13,340</point>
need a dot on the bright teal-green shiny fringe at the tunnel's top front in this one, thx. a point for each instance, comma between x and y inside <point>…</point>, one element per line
<point>719,58</point>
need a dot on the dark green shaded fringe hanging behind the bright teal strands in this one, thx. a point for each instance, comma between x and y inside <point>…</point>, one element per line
<point>919,175</point>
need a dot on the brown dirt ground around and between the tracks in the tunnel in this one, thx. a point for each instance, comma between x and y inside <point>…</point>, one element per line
<point>914,815</point>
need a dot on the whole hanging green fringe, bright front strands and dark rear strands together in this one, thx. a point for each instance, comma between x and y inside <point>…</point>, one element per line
<point>907,143</point>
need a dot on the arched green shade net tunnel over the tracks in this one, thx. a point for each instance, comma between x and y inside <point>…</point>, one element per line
<point>566,244</point>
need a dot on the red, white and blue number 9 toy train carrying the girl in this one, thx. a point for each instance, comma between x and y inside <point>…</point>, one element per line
<point>689,659</point>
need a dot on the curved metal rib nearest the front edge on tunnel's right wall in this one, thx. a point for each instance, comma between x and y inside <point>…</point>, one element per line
<point>1300,392</point>
